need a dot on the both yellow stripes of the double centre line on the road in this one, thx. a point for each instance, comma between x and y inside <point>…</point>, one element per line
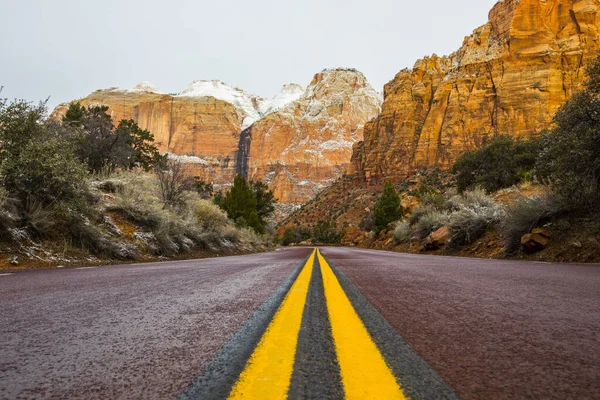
<point>364,372</point>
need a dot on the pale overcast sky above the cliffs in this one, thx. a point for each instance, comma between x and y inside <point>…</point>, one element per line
<point>66,49</point>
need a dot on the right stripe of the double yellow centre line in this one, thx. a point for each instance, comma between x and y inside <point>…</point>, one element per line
<point>365,375</point>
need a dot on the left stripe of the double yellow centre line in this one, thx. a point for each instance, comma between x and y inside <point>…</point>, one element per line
<point>269,370</point>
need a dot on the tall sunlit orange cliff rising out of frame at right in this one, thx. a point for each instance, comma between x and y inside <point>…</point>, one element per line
<point>509,77</point>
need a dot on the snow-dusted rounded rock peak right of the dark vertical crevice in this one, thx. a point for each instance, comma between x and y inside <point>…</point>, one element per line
<point>307,144</point>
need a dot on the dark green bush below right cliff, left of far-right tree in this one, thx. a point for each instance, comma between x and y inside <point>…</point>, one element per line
<point>501,163</point>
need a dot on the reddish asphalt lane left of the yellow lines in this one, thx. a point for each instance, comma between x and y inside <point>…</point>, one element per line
<point>133,331</point>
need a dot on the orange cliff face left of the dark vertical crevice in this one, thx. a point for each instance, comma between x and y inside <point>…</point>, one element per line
<point>203,131</point>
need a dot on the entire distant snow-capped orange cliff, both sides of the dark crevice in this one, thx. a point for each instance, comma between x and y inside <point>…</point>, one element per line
<point>299,141</point>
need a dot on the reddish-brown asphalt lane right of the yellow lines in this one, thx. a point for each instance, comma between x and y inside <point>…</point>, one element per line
<point>492,329</point>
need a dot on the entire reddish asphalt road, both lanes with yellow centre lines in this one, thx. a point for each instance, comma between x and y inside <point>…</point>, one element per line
<point>444,327</point>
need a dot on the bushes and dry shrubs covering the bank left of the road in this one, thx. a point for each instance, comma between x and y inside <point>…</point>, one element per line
<point>83,189</point>
